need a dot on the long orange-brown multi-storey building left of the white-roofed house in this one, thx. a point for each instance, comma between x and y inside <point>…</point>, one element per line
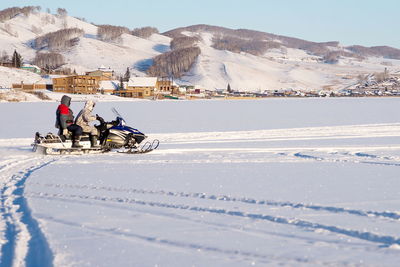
<point>77,84</point>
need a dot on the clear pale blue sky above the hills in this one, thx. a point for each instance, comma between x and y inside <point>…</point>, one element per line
<point>363,22</point>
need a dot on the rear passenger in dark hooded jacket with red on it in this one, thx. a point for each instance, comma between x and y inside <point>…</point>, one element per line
<point>65,122</point>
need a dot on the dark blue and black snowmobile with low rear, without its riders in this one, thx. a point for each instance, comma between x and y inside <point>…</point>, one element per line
<point>114,136</point>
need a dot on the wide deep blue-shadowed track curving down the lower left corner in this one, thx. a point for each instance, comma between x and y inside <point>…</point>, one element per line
<point>25,244</point>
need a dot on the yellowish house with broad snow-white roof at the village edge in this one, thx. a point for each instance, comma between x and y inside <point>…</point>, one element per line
<point>138,87</point>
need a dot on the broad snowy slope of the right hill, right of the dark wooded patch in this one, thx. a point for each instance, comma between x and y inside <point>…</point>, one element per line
<point>277,68</point>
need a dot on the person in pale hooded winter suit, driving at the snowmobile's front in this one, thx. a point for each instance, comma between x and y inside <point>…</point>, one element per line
<point>84,118</point>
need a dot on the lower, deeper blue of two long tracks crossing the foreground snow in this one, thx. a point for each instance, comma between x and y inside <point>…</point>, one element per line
<point>385,240</point>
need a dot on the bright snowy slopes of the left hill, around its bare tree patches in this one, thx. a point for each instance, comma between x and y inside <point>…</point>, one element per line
<point>88,53</point>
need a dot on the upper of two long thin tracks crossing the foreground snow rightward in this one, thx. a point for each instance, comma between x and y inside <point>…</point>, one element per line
<point>384,214</point>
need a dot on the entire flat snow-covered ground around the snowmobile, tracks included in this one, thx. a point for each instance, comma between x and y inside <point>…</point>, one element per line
<point>291,182</point>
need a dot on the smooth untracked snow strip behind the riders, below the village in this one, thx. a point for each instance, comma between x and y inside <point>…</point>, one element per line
<point>209,115</point>
